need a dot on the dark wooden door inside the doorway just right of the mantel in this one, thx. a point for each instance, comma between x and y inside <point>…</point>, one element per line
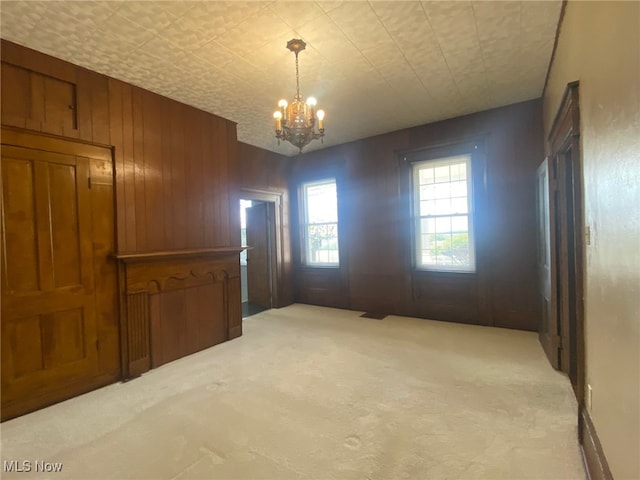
<point>258,257</point>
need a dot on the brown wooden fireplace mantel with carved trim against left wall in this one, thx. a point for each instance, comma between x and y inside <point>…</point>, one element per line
<point>174,303</point>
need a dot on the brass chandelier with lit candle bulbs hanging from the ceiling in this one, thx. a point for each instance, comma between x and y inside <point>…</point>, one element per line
<point>296,121</point>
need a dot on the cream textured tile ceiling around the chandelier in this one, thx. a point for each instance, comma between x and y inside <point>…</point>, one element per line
<point>374,66</point>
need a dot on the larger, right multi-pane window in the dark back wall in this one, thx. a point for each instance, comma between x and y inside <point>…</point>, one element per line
<point>443,214</point>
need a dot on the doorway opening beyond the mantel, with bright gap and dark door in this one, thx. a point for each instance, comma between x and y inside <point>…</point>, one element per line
<point>256,261</point>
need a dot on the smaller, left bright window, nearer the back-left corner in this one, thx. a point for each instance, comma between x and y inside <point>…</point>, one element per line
<point>319,223</point>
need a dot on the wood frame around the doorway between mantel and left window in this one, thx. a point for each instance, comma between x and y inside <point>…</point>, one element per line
<point>277,250</point>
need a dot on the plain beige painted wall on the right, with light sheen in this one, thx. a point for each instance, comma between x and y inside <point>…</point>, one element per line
<point>599,45</point>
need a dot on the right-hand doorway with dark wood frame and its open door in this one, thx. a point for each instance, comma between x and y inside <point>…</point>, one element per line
<point>562,246</point>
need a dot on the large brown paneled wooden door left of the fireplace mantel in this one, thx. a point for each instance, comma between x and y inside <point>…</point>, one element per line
<point>49,333</point>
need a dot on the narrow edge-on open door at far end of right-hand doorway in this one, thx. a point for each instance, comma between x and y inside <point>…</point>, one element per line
<point>548,330</point>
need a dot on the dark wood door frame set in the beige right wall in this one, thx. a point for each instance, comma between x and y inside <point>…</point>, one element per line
<point>567,234</point>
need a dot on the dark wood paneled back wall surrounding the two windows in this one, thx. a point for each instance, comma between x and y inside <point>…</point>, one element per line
<point>376,259</point>
